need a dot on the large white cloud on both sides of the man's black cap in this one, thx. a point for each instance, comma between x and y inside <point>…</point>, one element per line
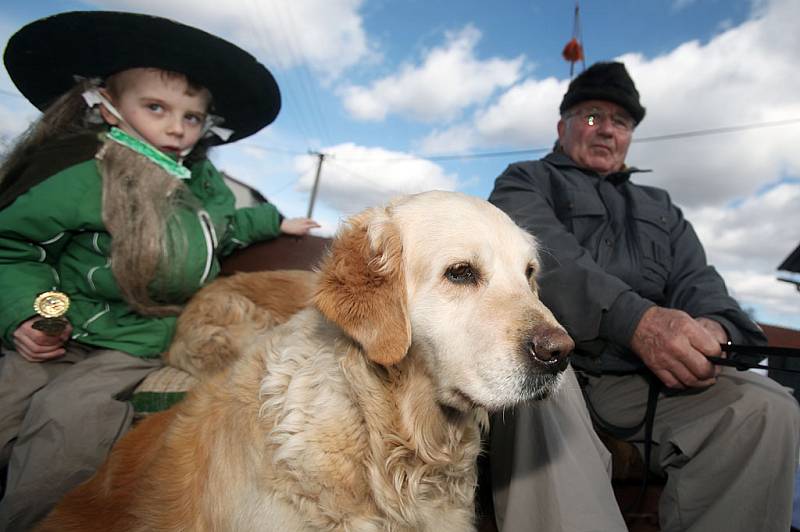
<point>745,75</point>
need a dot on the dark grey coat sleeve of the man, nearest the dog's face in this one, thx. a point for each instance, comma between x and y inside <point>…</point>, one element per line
<point>589,302</point>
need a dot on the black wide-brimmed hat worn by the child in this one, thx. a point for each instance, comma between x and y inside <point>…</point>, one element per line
<point>44,58</point>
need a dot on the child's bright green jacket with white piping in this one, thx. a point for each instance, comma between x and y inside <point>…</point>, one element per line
<point>52,237</point>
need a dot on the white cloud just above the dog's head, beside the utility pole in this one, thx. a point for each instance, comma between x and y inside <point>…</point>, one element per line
<point>355,177</point>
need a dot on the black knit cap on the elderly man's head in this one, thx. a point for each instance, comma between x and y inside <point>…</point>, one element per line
<point>607,81</point>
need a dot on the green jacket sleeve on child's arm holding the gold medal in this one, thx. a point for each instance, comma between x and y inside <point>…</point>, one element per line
<point>33,231</point>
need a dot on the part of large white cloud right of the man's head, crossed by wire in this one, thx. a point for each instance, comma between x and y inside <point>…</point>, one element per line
<point>746,75</point>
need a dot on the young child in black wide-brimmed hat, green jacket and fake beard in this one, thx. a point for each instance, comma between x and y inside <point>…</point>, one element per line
<point>109,199</point>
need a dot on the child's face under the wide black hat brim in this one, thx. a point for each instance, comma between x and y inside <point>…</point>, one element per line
<point>163,109</point>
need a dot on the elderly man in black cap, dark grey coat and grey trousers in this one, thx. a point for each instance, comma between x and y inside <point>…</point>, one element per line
<point>625,273</point>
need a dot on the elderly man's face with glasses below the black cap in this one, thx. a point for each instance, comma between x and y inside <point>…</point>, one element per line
<point>596,134</point>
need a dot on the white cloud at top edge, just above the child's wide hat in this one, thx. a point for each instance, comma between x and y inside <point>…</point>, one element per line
<point>326,35</point>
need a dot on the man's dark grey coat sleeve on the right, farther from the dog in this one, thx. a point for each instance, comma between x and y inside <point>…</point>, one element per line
<point>695,287</point>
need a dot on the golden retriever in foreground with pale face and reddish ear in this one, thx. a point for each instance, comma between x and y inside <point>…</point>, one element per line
<point>362,412</point>
